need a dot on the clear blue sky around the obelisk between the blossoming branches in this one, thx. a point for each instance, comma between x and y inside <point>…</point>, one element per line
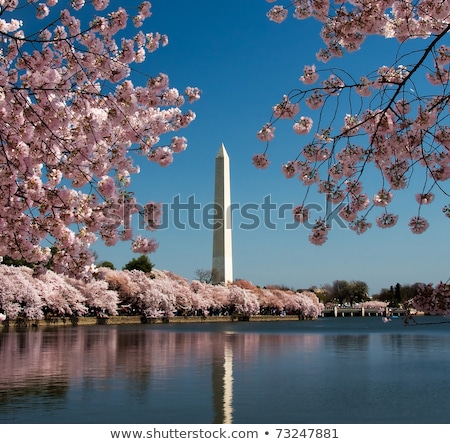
<point>243,63</point>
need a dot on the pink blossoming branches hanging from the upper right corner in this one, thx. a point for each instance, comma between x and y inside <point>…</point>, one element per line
<point>394,119</point>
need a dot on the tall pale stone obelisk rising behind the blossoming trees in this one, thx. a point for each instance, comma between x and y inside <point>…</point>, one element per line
<point>222,266</point>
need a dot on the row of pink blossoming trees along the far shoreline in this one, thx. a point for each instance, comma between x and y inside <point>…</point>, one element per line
<point>155,295</point>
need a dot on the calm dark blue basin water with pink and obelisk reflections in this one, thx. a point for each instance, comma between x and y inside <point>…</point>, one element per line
<point>333,371</point>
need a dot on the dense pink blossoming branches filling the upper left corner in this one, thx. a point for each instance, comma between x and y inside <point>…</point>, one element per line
<point>70,120</point>
